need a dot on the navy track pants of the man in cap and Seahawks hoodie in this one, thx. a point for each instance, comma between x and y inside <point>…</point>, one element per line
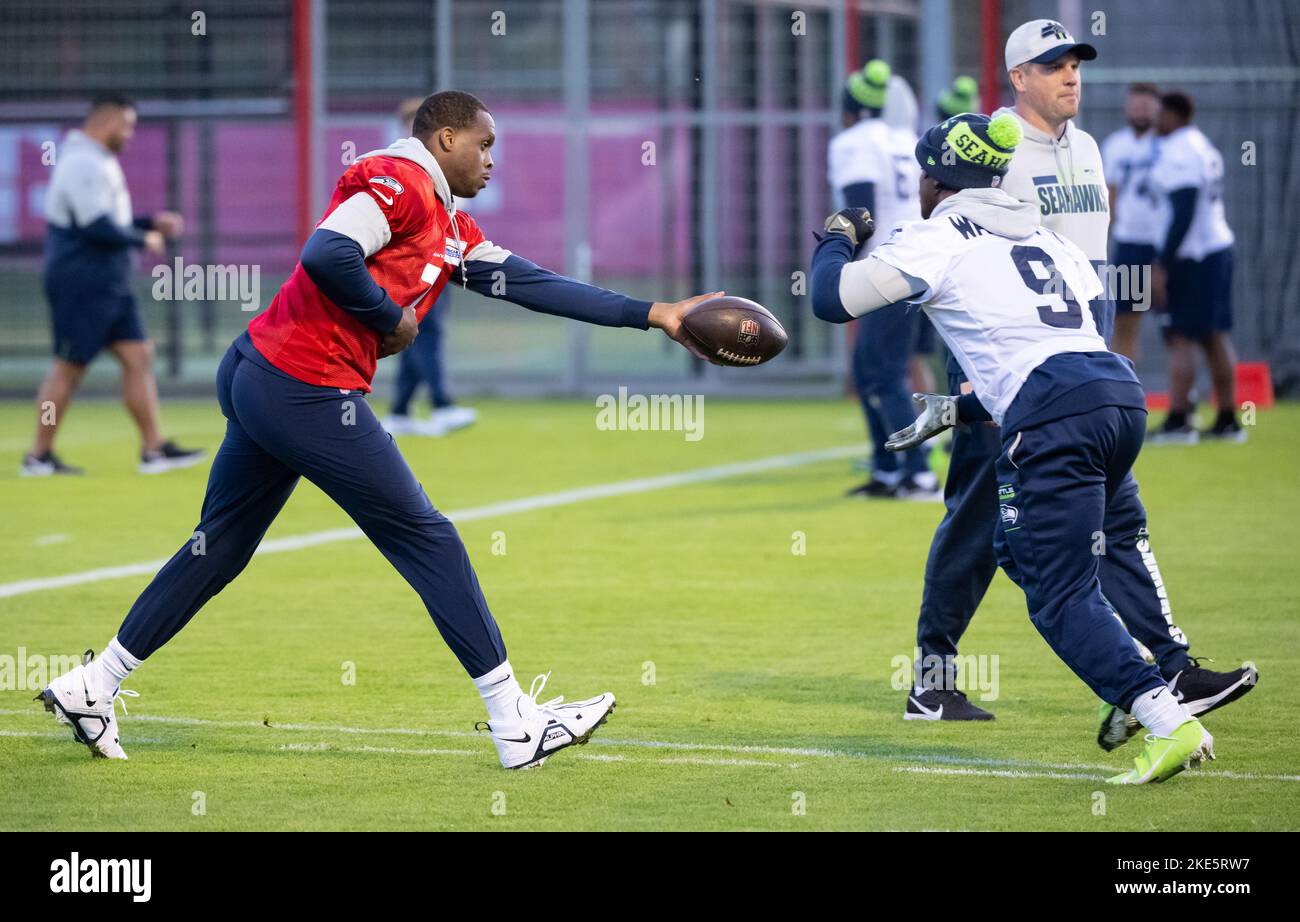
<point>963,561</point>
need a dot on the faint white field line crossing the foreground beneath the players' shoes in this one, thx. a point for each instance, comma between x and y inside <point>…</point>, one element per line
<point>955,765</point>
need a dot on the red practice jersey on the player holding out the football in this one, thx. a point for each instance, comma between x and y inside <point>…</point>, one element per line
<point>314,340</point>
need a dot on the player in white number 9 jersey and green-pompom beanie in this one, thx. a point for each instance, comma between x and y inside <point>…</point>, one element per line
<point>1011,300</point>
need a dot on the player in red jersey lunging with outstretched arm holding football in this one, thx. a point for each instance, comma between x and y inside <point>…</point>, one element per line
<point>293,391</point>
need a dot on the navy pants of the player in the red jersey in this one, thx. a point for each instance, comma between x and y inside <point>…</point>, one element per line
<point>279,430</point>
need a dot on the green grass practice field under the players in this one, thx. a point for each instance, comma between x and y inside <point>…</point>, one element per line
<point>755,683</point>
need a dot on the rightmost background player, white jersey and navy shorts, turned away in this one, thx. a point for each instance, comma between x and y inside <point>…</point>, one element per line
<point>1195,274</point>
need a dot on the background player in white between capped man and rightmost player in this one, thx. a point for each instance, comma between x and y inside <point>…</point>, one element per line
<point>1137,218</point>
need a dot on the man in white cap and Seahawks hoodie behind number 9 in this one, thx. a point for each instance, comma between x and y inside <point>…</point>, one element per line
<point>1058,168</point>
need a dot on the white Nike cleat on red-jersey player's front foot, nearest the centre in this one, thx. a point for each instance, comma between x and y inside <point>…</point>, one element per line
<point>545,729</point>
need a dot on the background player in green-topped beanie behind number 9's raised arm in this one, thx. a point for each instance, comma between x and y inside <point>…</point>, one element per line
<point>870,166</point>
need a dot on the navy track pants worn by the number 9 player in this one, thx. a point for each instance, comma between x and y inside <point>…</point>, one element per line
<point>1061,491</point>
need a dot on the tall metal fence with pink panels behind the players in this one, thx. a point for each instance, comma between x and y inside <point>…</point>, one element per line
<point>662,148</point>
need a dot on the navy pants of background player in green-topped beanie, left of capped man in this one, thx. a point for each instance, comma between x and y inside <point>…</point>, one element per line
<point>882,350</point>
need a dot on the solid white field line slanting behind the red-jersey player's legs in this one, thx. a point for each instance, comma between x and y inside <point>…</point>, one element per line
<point>619,488</point>
